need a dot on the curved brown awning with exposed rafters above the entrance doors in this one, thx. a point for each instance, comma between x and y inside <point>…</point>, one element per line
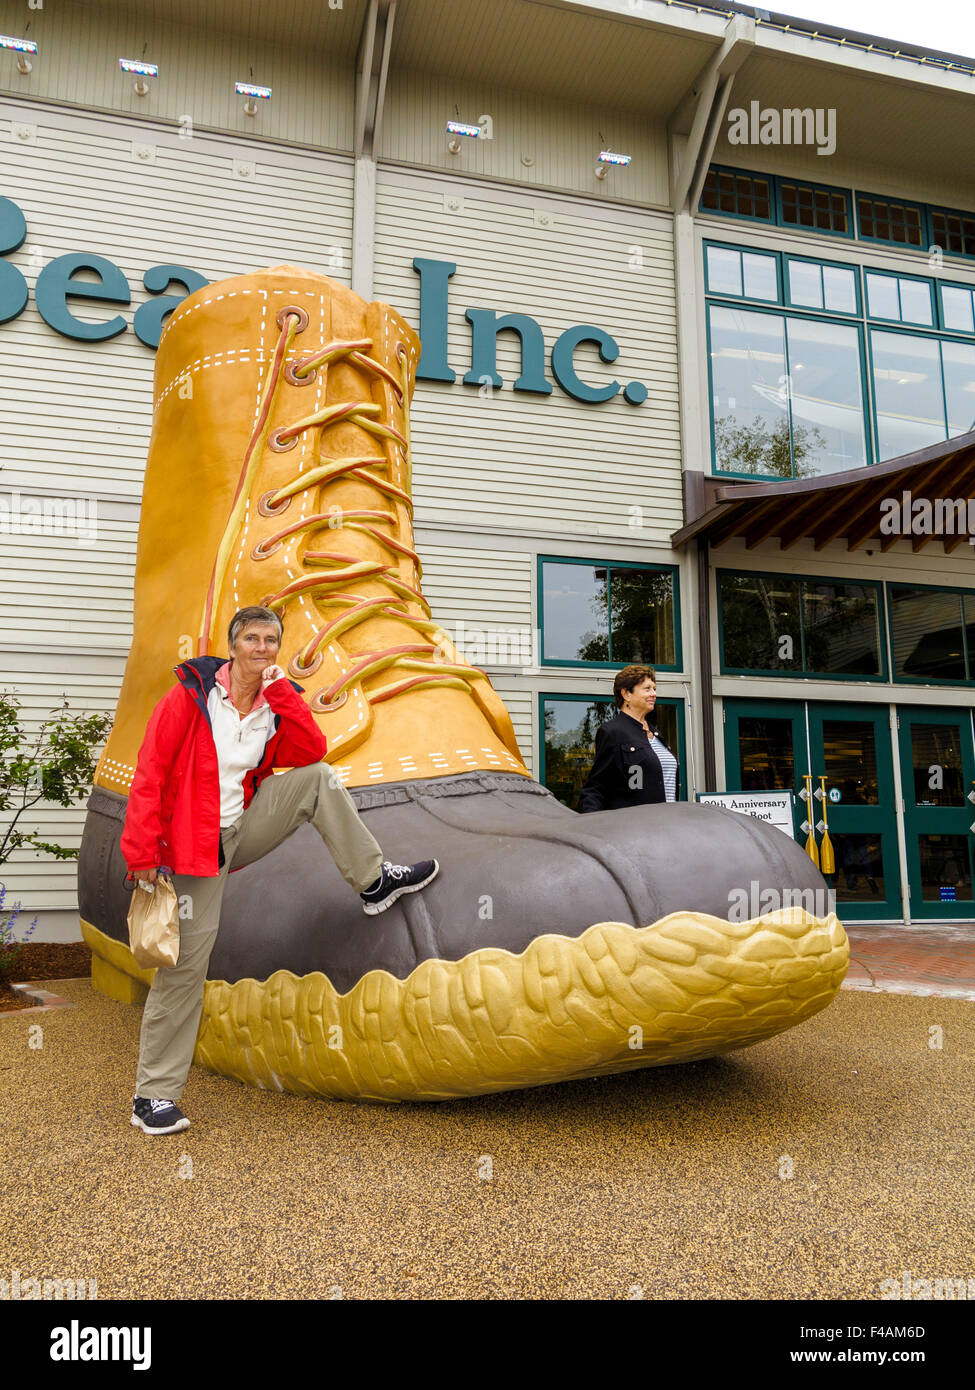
<point>841,505</point>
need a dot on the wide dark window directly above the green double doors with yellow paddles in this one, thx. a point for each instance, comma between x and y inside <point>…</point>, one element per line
<point>787,625</point>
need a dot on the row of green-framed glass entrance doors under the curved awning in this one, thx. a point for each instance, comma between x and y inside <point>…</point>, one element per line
<point>775,744</point>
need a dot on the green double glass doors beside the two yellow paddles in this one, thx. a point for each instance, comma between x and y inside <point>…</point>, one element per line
<point>771,746</point>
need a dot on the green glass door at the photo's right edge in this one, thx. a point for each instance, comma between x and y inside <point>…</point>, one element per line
<point>938,771</point>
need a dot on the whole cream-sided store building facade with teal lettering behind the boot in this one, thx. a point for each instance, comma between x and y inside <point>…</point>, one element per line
<point>661,407</point>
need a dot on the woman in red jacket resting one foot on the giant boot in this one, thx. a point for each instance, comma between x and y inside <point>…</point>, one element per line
<point>197,807</point>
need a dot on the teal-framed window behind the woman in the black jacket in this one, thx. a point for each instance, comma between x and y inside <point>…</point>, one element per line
<point>568,744</point>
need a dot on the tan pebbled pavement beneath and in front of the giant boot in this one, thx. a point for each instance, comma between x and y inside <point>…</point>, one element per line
<point>664,1184</point>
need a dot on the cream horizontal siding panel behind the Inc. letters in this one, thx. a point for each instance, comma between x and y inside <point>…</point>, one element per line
<point>508,459</point>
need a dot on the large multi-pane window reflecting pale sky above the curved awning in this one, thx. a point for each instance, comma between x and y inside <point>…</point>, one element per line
<point>793,343</point>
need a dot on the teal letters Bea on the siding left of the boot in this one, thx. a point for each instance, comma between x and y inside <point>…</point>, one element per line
<point>58,284</point>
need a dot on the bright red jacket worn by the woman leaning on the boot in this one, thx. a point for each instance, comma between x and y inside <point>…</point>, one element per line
<point>173,814</point>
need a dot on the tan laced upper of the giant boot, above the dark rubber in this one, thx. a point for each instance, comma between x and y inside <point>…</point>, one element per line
<point>279,473</point>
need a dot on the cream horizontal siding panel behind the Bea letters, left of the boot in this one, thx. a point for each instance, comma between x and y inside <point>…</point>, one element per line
<point>77,416</point>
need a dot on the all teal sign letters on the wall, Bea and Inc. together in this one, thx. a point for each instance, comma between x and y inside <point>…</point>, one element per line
<point>59,283</point>
